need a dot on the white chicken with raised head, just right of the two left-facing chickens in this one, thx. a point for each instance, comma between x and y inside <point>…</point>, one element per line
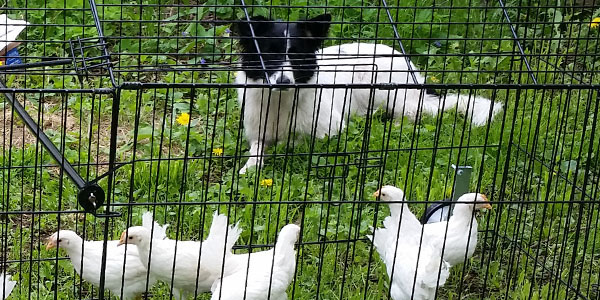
<point>260,275</point>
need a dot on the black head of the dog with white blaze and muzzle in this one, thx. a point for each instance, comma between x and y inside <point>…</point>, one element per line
<point>287,48</point>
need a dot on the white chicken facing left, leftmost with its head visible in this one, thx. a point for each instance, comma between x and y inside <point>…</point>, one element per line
<point>128,285</point>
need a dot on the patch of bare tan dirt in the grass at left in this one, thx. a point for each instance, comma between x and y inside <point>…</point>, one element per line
<point>85,135</point>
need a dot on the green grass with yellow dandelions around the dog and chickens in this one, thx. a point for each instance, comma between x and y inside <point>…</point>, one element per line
<point>536,210</point>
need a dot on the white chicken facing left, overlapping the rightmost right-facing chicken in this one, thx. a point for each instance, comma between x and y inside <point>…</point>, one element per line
<point>414,265</point>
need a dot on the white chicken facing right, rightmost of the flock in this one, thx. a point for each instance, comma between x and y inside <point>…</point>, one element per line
<point>461,239</point>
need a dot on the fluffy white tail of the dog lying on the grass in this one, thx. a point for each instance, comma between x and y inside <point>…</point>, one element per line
<point>478,109</point>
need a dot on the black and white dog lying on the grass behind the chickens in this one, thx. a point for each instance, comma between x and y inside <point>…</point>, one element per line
<point>291,54</point>
